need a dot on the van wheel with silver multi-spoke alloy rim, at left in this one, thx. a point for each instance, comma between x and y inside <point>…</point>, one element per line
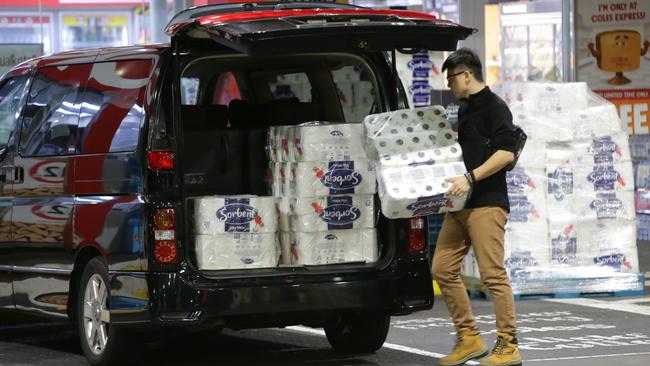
<point>99,339</point>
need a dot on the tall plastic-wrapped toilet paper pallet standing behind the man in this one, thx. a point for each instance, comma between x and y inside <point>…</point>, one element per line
<point>571,226</point>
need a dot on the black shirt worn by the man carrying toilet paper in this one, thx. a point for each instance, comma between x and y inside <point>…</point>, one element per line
<point>481,116</point>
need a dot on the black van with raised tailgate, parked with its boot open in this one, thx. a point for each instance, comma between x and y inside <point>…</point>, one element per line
<point>101,150</point>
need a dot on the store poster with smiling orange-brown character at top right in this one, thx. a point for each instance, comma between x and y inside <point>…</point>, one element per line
<point>612,41</point>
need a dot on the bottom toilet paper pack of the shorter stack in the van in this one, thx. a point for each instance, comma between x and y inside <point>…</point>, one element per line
<point>237,250</point>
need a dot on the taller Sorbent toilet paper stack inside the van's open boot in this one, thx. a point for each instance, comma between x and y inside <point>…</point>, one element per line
<point>325,186</point>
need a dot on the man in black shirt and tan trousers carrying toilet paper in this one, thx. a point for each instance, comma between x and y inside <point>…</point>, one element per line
<point>480,225</point>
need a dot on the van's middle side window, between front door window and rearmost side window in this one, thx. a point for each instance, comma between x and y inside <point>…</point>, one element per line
<point>51,114</point>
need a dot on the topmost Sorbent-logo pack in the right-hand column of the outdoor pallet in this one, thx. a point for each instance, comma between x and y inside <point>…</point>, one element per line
<point>603,150</point>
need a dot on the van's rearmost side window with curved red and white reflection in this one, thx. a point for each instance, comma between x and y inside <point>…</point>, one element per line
<point>112,111</point>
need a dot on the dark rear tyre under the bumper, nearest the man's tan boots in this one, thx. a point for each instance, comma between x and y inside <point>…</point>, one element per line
<point>359,332</point>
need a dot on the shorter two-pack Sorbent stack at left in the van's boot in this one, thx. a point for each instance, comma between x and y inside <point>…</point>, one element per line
<point>234,232</point>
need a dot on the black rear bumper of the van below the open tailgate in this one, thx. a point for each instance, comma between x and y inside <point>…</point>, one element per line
<point>185,297</point>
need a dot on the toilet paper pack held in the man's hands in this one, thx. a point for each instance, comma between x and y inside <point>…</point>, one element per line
<point>415,151</point>
